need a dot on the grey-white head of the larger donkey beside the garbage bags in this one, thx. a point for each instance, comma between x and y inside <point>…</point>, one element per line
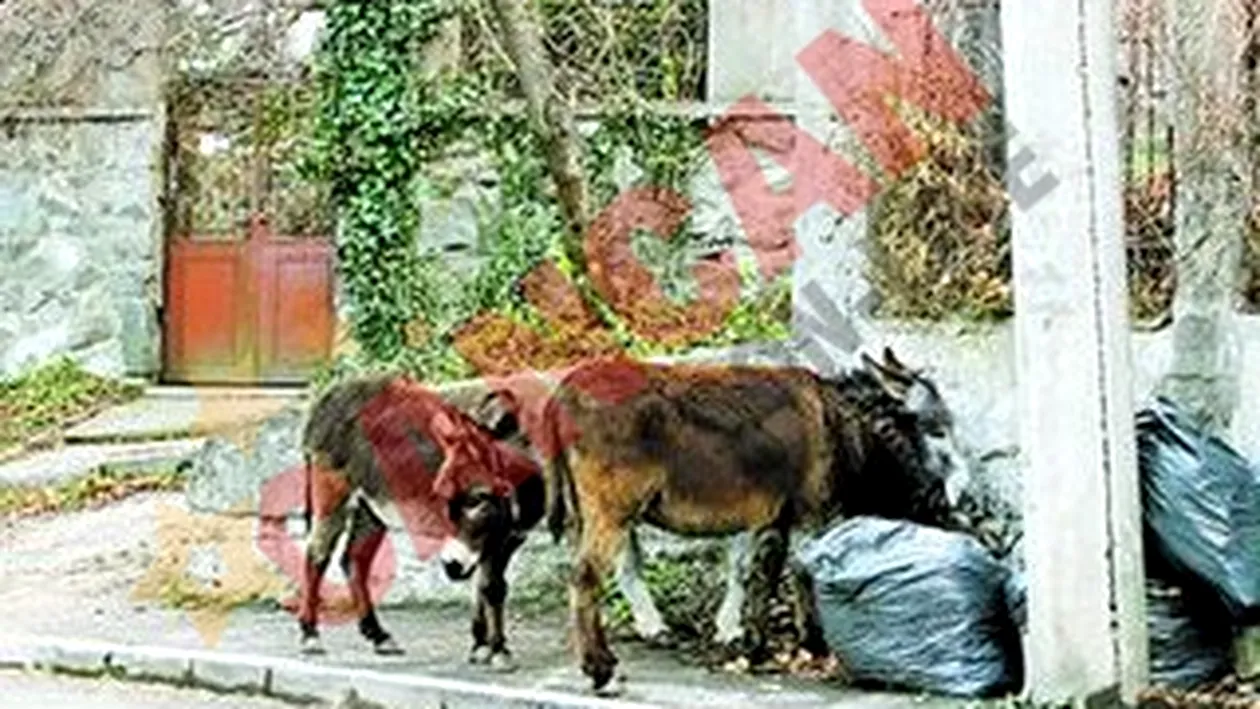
<point>927,425</point>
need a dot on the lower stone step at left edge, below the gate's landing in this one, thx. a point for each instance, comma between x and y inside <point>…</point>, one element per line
<point>61,465</point>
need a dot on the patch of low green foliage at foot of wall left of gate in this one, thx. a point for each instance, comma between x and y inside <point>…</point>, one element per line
<point>50,396</point>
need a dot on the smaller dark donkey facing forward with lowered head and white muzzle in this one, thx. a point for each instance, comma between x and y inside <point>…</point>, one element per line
<point>386,449</point>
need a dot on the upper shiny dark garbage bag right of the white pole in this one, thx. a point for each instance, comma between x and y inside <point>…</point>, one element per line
<point>1201,507</point>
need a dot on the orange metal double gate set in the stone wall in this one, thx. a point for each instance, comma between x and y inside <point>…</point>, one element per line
<point>249,290</point>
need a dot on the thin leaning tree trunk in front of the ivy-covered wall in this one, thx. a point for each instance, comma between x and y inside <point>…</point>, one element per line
<point>550,116</point>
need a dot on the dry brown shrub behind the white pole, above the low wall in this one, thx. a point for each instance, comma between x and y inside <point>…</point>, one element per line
<point>941,242</point>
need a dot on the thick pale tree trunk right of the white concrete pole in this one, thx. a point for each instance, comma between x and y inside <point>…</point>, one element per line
<point>1206,43</point>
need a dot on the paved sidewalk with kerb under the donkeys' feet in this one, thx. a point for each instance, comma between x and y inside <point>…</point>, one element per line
<point>74,576</point>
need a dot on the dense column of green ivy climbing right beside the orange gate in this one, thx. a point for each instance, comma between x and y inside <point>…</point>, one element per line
<point>382,116</point>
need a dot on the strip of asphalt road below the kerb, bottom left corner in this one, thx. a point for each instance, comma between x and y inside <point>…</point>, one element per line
<point>23,691</point>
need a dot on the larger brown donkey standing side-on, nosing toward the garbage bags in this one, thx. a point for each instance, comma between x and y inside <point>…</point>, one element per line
<point>719,450</point>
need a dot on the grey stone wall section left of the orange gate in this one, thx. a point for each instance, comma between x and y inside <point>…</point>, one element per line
<point>81,135</point>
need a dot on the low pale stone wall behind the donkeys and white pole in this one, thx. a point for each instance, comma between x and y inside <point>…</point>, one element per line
<point>975,368</point>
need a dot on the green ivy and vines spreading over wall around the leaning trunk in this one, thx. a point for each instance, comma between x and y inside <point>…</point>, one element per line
<point>384,120</point>
